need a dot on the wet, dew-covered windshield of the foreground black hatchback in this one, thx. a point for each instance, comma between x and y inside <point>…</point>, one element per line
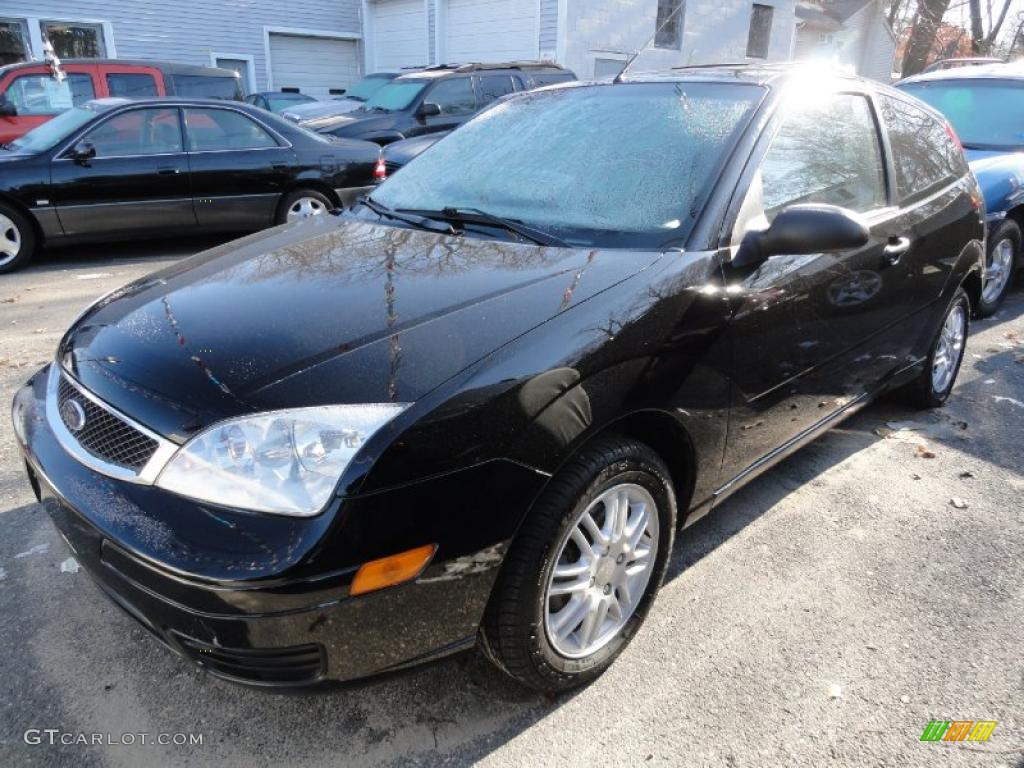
<point>611,166</point>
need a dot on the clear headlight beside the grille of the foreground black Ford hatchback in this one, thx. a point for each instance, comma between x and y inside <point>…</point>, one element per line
<point>285,462</point>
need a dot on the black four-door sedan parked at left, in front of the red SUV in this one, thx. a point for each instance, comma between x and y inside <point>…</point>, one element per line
<point>117,168</point>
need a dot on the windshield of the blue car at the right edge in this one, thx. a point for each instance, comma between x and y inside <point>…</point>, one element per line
<point>986,114</point>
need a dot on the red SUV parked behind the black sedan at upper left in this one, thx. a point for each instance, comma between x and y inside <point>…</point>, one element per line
<point>31,93</point>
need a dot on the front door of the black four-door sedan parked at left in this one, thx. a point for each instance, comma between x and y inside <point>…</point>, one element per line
<point>137,182</point>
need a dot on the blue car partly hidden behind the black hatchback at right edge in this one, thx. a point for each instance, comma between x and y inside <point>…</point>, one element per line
<point>986,106</point>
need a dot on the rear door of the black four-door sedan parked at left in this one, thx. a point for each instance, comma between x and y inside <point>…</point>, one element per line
<point>239,167</point>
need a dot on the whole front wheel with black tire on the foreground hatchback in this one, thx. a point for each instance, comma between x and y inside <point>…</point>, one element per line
<point>518,631</point>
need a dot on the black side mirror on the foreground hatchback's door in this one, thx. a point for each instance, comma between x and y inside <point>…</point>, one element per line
<point>802,230</point>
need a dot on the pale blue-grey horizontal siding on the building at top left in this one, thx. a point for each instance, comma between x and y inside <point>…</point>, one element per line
<point>188,31</point>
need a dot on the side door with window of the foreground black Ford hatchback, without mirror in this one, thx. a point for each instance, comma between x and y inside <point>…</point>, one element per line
<point>812,332</point>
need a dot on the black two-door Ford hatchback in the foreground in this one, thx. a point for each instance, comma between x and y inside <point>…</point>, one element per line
<point>478,409</point>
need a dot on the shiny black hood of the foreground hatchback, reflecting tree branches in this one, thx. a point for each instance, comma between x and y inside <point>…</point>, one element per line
<point>323,312</point>
